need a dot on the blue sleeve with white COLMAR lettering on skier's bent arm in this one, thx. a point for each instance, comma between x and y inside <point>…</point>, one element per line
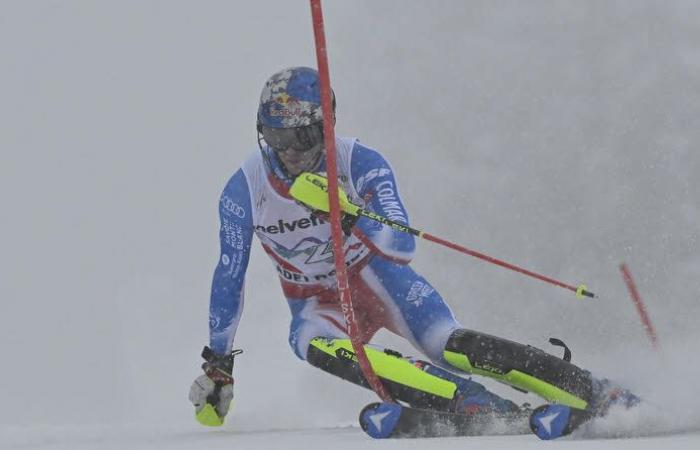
<point>374,181</point>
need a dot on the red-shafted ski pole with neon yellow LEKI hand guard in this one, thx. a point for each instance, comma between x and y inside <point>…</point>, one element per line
<point>312,190</point>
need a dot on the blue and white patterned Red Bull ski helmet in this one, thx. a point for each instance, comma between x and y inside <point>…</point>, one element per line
<point>291,98</point>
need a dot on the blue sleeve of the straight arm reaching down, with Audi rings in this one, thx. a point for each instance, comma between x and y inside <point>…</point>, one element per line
<point>235,234</point>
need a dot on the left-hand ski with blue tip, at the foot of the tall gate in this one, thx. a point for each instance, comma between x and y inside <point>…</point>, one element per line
<point>392,420</point>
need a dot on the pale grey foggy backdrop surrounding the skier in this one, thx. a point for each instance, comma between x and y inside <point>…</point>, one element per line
<point>560,136</point>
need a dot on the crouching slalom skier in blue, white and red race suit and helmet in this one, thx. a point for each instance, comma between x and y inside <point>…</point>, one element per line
<point>386,291</point>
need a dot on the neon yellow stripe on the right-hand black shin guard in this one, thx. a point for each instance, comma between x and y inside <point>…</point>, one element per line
<point>519,380</point>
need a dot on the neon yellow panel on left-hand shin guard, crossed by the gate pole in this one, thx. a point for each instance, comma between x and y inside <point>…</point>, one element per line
<point>390,367</point>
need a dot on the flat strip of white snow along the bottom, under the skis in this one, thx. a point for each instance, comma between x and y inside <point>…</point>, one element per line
<point>341,438</point>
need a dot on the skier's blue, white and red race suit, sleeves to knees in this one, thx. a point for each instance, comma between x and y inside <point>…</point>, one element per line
<point>386,292</point>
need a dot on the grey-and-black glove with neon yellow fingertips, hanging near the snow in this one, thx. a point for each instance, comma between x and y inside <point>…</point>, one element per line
<point>212,393</point>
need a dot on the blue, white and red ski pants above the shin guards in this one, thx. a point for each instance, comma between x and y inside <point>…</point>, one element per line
<point>385,294</point>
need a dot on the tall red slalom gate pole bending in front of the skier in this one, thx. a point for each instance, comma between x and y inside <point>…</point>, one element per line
<point>353,327</point>
